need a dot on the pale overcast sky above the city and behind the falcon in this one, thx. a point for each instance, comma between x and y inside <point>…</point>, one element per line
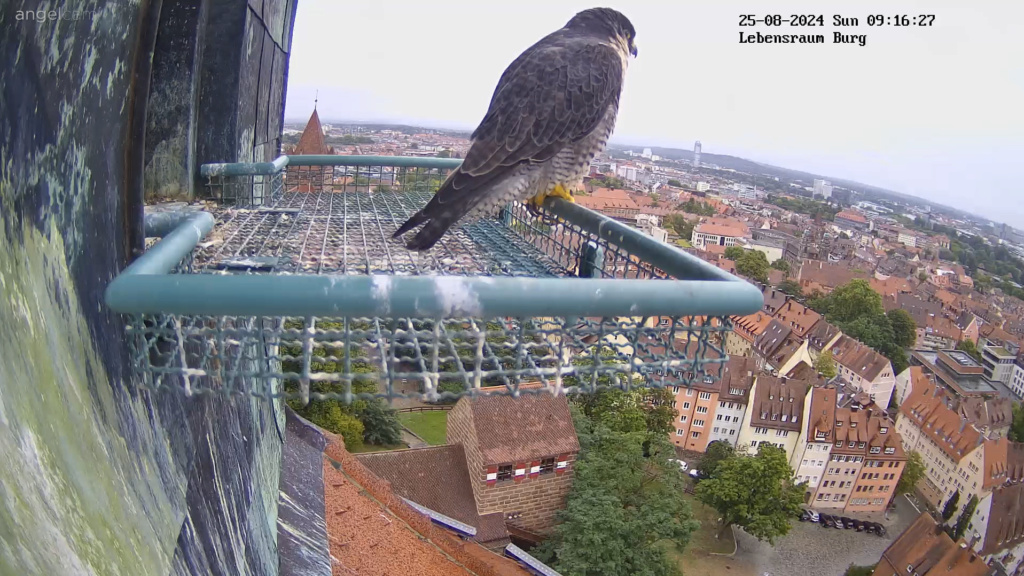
<point>934,112</point>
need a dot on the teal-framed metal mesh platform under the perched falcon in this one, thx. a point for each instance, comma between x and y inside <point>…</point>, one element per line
<point>300,292</point>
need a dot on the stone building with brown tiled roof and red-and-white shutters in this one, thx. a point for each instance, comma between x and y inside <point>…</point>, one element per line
<point>506,471</point>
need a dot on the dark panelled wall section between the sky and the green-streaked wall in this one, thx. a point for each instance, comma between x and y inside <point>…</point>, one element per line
<point>219,90</point>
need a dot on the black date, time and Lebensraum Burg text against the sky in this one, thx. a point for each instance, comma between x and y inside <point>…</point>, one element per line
<point>810,22</point>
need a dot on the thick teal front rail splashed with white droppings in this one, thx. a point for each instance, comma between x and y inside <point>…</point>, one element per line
<point>148,291</point>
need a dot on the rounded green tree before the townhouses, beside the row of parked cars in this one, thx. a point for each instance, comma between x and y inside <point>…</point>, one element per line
<point>758,493</point>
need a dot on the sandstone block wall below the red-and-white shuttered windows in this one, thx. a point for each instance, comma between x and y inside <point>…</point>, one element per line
<point>537,500</point>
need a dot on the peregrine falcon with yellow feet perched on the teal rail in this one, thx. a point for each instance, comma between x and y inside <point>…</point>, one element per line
<point>552,112</point>
